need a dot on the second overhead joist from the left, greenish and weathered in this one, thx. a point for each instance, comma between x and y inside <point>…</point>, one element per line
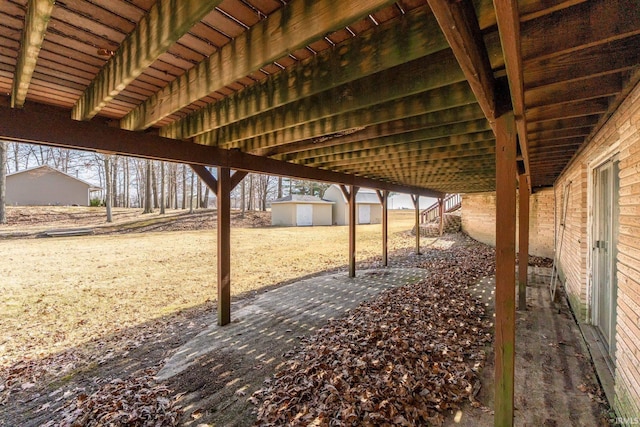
<point>158,30</point>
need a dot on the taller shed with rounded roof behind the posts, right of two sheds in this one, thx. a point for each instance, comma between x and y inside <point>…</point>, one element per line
<point>368,207</point>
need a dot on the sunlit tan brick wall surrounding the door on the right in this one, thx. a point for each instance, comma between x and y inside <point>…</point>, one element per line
<point>619,137</point>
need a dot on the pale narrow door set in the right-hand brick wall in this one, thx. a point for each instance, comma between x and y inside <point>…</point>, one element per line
<point>605,223</point>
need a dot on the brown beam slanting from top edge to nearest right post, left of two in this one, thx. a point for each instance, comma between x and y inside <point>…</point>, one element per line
<point>460,26</point>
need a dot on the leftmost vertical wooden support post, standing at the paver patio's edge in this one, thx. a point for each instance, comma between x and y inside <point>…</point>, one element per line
<point>224,246</point>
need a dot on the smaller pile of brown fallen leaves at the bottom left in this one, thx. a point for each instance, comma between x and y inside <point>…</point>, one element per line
<point>135,401</point>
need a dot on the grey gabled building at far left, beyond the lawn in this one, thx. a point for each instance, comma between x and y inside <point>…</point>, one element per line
<point>46,186</point>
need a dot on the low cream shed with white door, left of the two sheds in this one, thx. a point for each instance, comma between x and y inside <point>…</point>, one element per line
<point>298,210</point>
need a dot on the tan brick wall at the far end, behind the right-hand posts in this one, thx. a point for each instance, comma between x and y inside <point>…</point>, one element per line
<point>479,220</point>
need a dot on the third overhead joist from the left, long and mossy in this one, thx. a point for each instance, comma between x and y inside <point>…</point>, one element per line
<point>291,27</point>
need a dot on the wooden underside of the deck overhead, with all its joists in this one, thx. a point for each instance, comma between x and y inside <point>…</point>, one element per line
<point>399,95</point>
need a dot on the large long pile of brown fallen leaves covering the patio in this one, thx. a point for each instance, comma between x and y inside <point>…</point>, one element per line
<point>408,357</point>
